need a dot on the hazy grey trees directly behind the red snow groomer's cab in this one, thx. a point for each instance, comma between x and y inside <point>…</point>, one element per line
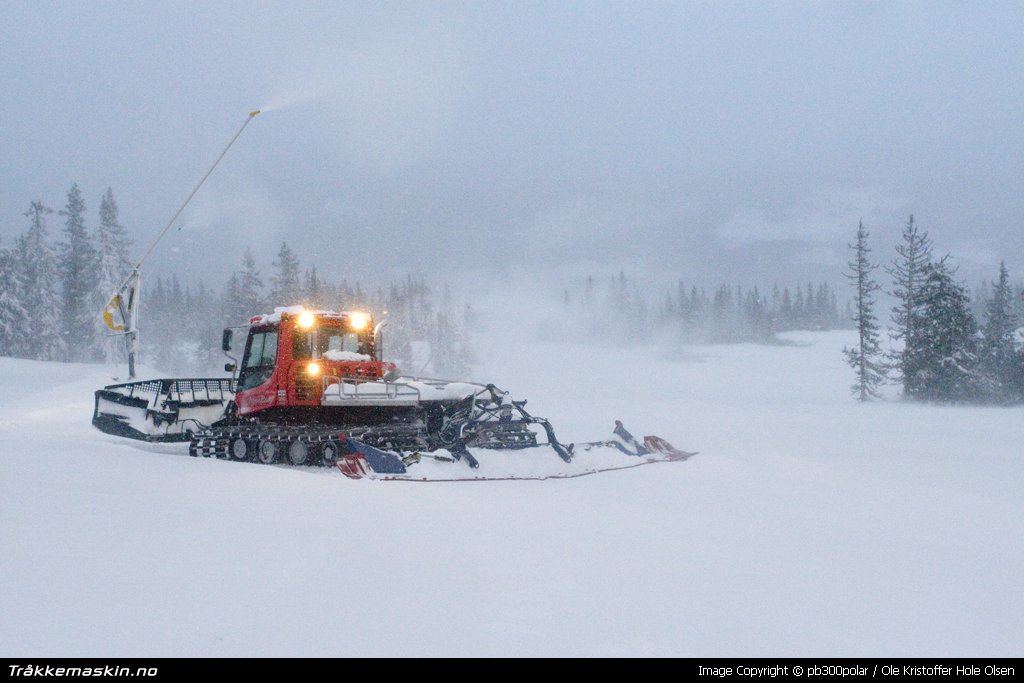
<point>426,331</point>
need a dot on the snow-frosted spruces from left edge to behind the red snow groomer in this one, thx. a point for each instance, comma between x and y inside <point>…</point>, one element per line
<point>54,289</point>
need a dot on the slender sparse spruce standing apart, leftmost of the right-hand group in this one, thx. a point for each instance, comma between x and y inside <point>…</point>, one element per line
<point>867,358</point>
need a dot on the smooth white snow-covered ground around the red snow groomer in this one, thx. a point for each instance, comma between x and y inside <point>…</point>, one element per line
<point>808,526</point>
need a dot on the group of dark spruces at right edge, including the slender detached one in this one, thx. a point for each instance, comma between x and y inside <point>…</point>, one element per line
<point>943,353</point>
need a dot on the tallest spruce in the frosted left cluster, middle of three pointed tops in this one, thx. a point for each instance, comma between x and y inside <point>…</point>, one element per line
<point>78,280</point>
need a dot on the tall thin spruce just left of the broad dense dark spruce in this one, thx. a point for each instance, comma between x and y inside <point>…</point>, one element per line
<point>908,272</point>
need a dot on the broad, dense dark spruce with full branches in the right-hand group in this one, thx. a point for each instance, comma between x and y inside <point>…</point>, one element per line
<point>943,364</point>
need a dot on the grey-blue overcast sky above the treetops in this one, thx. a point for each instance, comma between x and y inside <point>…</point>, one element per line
<point>709,142</point>
